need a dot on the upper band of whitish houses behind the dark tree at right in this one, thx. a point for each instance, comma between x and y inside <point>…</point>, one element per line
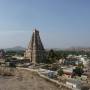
<point>74,60</point>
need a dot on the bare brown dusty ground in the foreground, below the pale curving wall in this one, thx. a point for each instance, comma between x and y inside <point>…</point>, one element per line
<point>27,81</point>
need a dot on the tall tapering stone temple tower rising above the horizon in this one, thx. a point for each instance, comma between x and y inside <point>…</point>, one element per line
<point>35,51</point>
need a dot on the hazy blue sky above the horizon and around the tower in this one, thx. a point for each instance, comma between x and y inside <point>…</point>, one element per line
<point>62,23</point>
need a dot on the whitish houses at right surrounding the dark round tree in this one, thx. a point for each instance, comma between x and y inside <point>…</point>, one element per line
<point>69,64</point>
